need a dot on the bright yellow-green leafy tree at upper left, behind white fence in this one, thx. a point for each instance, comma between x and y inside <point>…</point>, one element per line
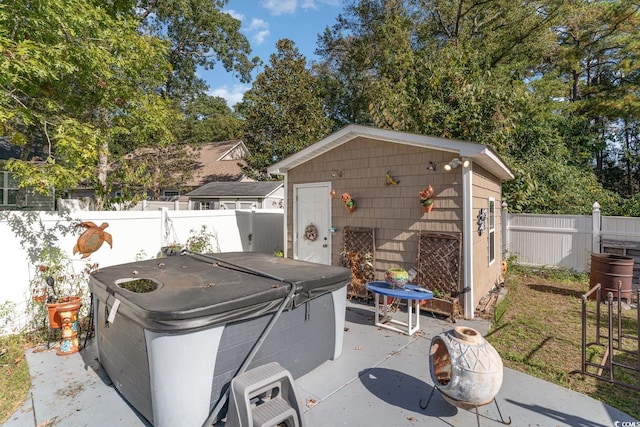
<point>63,78</point>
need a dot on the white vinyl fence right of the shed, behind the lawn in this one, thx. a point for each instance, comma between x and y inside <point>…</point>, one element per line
<point>567,241</point>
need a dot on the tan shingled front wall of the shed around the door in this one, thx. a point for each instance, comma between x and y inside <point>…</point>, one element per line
<point>394,210</point>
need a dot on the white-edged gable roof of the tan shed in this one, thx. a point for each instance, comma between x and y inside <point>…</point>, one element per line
<point>478,153</point>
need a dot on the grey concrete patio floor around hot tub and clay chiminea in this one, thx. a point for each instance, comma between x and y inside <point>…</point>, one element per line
<point>380,380</point>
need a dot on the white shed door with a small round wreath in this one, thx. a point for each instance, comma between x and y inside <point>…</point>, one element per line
<point>311,212</point>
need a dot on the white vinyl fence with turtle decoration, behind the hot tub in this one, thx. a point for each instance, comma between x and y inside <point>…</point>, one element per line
<point>136,235</point>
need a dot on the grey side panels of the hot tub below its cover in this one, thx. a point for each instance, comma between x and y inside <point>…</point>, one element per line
<point>148,376</point>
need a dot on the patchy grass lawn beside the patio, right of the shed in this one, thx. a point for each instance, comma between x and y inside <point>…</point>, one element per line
<point>537,330</point>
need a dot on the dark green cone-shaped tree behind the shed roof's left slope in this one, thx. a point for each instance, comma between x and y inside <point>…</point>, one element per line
<point>283,111</point>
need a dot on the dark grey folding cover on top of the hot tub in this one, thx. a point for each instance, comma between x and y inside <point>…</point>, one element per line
<point>197,291</point>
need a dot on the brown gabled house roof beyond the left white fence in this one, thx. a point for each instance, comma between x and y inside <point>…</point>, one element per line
<point>218,161</point>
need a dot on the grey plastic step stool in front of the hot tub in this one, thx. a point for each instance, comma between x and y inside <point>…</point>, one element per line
<point>264,396</point>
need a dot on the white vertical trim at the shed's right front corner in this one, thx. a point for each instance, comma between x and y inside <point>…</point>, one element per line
<point>467,240</point>
